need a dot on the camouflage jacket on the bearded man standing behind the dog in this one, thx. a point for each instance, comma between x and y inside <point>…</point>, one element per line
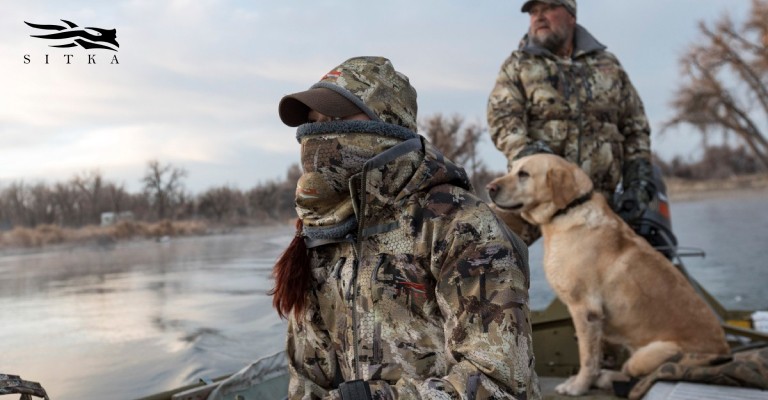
<point>584,108</point>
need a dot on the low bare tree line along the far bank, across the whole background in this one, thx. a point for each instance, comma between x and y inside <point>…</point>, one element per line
<point>81,200</point>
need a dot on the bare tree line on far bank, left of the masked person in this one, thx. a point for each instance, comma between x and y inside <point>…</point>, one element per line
<point>81,200</point>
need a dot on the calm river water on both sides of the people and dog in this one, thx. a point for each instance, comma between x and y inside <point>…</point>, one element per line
<point>138,318</point>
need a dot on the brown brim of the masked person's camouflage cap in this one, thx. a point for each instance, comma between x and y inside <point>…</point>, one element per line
<point>294,108</point>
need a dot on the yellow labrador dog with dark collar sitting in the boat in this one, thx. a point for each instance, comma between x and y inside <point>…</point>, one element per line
<point>615,285</point>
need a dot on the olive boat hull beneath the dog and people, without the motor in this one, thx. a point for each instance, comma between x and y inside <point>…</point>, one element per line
<point>556,359</point>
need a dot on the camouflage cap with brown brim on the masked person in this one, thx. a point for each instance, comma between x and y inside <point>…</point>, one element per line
<point>370,84</point>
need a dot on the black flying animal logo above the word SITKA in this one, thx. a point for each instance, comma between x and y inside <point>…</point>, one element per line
<point>87,38</point>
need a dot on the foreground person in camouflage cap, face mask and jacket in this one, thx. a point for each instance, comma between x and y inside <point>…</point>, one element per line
<point>418,291</point>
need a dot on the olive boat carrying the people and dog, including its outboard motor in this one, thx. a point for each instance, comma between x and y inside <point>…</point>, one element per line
<point>554,346</point>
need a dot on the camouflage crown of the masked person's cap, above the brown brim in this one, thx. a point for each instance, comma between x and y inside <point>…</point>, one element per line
<point>376,88</point>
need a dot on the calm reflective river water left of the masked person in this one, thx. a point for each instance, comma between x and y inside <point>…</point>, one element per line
<point>138,318</point>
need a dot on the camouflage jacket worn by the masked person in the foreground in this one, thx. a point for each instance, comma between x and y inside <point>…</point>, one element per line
<point>430,300</point>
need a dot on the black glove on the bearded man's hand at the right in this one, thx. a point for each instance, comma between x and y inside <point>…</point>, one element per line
<point>638,190</point>
